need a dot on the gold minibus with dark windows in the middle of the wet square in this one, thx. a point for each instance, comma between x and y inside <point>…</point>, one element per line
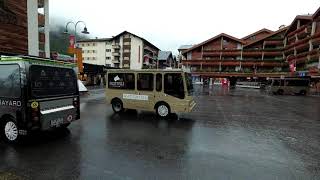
<point>165,91</point>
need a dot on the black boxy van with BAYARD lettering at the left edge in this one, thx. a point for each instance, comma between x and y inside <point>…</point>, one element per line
<point>36,94</point>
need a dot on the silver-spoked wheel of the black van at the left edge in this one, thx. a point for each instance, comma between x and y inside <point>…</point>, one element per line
<point>9,130</point>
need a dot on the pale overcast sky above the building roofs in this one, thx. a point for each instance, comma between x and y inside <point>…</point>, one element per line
<point>171,23</point>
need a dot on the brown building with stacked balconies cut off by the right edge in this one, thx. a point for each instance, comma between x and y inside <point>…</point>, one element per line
<point>302,45</point>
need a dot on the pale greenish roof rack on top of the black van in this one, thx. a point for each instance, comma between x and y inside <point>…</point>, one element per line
<point>15,57</point>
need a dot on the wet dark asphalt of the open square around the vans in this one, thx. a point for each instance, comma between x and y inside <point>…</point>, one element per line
<point>232,134</point>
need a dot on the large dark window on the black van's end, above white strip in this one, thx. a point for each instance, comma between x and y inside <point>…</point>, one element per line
<point>49,81</point>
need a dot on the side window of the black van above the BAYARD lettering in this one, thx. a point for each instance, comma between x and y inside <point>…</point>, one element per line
<point>10,80</point>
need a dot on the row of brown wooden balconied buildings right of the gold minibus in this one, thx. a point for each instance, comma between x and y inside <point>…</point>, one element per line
<point>261,54</point>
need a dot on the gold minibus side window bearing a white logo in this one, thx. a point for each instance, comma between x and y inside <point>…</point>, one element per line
<point>121,81</point>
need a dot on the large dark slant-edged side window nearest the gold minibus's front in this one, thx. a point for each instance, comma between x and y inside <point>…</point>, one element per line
<point>173,85</point>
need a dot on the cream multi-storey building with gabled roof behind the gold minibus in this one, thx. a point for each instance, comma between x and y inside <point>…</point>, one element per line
<point>125,50</point>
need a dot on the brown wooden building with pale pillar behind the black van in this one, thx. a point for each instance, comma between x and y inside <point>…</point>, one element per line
<point>24,27</point>
